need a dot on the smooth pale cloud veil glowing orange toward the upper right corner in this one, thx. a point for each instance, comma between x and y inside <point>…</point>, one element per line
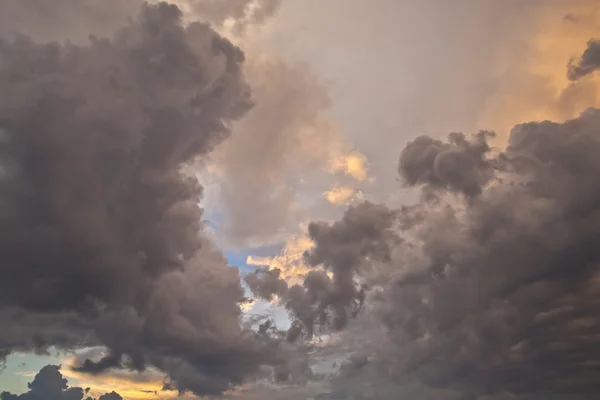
<point>414,72</point>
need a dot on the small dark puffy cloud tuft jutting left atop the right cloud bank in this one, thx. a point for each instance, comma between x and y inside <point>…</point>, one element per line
<point>460,165</point>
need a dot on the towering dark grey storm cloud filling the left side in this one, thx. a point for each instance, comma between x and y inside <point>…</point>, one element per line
<point>99,223</point>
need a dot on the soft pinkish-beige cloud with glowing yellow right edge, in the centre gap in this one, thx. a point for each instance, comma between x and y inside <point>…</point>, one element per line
<point>284,148</point>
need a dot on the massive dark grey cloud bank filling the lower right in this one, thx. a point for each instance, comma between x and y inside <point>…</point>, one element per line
<point>497,295</point>
